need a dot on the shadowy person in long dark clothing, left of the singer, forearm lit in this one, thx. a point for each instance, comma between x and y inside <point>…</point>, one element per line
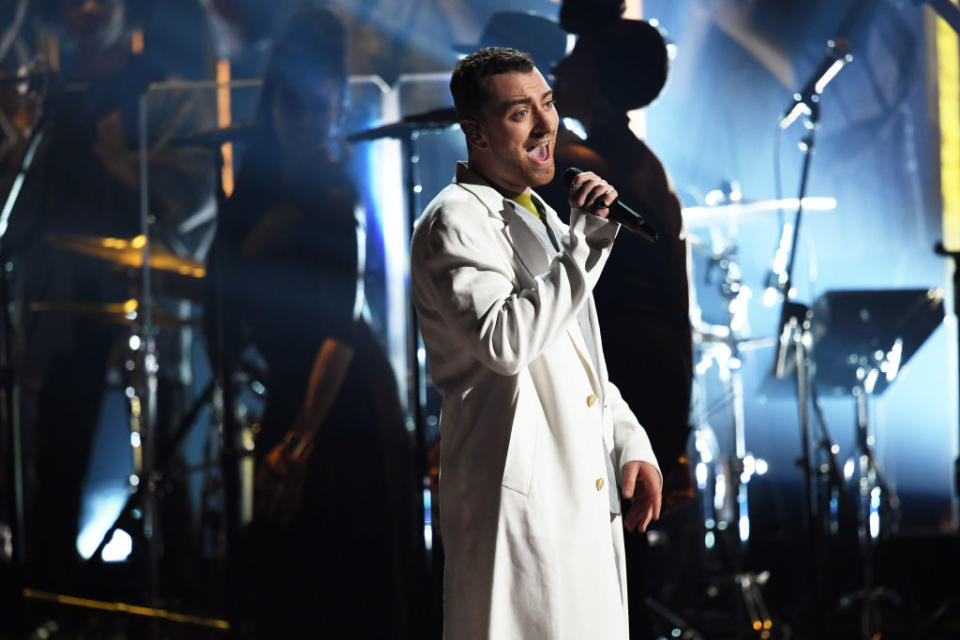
<point>334,534</point>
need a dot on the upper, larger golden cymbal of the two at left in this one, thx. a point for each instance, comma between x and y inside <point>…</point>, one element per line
<point>128,253</point>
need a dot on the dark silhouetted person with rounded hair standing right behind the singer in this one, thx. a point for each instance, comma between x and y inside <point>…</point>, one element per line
<point>642,295</point>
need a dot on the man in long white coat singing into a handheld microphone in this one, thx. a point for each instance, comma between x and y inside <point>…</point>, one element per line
<point>535,438</point>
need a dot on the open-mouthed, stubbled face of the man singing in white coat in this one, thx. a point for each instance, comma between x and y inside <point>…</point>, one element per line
<point>518,127</point>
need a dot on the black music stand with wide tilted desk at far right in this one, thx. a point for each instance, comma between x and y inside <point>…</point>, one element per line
<point>855,343</point>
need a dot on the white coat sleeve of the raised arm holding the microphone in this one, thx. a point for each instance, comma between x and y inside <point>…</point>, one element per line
<point>459,272</point>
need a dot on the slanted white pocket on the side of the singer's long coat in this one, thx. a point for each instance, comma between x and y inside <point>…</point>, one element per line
<point>528,422</point>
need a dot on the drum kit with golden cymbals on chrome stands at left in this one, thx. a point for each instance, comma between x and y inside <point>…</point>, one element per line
<point>176,288</point>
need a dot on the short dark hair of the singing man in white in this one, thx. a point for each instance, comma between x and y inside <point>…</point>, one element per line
<point>468,85</point>
